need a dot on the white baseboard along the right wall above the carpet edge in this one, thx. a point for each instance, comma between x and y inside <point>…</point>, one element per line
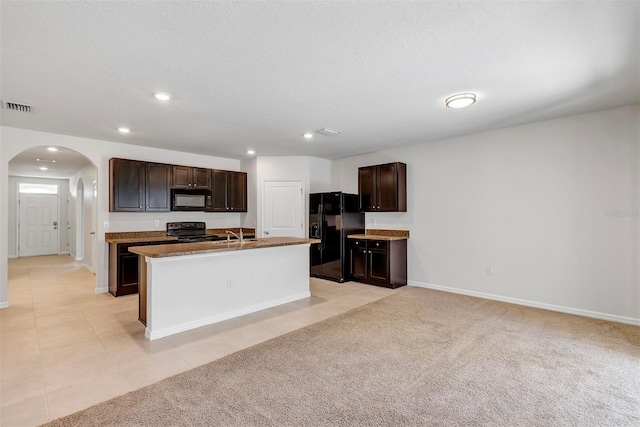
<point>545,306</point>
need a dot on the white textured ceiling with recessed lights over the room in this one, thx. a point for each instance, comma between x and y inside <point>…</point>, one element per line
<point>260,74</point>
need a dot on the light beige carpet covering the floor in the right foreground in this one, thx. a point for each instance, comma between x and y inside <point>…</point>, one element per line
<point>418,357</point>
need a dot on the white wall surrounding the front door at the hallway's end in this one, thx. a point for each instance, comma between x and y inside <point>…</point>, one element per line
<point>13,214</point>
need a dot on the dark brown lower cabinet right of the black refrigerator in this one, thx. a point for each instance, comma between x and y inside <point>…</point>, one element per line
<point>379,262</point>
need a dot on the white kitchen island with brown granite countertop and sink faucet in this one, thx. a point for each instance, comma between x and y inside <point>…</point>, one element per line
<point>184,286</point>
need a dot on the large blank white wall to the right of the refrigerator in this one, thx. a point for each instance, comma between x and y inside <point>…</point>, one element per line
<point>552,207</point>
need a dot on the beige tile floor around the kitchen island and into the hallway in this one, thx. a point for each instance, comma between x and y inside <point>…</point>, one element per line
<point>63,348</point>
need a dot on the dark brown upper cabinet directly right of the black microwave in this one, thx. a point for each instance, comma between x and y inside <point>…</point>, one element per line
<point>229,191</point>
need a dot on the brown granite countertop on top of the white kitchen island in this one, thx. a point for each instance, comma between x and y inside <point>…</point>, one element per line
<point>180,249</point>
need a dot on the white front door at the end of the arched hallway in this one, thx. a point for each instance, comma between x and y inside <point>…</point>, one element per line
<point>38,224</point>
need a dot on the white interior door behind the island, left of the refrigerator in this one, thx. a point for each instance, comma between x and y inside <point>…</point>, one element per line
<point>282,209</point>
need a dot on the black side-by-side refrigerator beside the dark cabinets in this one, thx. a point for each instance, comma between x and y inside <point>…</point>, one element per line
<point>332,217</point>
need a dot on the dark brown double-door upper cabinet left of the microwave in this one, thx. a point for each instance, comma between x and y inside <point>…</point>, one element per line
<point>139,186</point>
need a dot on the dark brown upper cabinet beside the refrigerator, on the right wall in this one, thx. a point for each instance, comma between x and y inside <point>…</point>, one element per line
<point>383,188</point>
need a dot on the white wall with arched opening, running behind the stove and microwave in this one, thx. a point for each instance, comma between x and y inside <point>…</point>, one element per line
<point>99,152</point>
